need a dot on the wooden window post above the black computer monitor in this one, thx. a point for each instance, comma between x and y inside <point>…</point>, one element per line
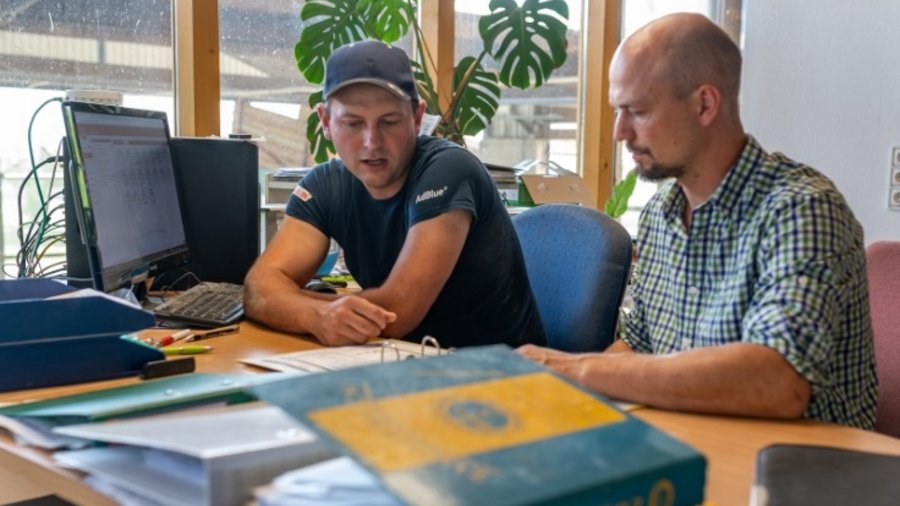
<point>197,67</point>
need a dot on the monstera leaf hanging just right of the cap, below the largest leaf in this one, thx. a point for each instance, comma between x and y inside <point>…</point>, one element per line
<point>478,101</point>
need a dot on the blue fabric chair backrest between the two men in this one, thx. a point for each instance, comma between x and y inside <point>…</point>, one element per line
<point>577,260</point>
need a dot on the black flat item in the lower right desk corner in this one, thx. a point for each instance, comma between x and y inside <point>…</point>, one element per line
<point>788,475</point>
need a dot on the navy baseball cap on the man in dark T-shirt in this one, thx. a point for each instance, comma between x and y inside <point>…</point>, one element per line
<point>371,62</point>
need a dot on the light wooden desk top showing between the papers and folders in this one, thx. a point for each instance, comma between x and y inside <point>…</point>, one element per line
<point>730,444</point>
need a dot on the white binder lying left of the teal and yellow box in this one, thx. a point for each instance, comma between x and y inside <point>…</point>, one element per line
<point>210,457</point>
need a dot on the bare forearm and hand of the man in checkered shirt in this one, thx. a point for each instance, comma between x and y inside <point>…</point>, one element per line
<point>737,378</point>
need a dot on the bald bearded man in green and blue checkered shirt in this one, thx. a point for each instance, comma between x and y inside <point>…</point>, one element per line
<point>750,287</point>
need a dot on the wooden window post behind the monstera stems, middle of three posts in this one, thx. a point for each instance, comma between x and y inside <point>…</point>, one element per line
<point>436,17</point>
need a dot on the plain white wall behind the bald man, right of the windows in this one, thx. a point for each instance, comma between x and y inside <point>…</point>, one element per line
<point>822,84</point>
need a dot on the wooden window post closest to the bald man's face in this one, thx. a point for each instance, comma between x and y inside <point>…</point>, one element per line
<point>600,36</point>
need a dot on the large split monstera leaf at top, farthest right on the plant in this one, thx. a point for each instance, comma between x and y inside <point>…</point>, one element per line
<point>521,35</point>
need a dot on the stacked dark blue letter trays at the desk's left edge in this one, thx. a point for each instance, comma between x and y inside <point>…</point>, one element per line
<point>55,342</point>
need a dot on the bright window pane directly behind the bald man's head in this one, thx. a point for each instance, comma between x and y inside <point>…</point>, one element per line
<point>637,13</point>
